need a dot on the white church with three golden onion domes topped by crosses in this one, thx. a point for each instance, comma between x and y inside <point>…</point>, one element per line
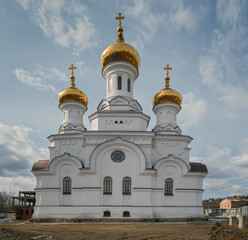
<point>118,169</point>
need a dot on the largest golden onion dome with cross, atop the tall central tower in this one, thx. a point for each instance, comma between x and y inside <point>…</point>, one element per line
<point>120,51</point>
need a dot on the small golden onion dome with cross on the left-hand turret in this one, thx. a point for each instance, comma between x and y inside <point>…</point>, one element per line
<point>72,93</point>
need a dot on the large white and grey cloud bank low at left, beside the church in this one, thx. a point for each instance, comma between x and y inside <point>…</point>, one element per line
<point>18,153</point>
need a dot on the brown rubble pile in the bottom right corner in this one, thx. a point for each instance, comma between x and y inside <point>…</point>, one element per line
<point>224,232</point>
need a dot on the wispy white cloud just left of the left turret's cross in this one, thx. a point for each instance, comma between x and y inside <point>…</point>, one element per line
<point>39,78</point>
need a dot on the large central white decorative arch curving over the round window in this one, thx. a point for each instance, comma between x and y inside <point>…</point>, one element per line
<point>102,148</point>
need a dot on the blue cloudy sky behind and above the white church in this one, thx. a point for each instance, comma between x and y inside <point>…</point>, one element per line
<point>205,43</point>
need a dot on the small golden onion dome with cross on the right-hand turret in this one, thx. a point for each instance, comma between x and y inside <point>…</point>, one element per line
<point>167,94</point>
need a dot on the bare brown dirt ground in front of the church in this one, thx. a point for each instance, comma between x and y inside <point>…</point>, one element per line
<point>144,231</point>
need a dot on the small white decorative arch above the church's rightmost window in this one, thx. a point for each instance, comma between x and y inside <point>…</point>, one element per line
<point>172,160</point>
